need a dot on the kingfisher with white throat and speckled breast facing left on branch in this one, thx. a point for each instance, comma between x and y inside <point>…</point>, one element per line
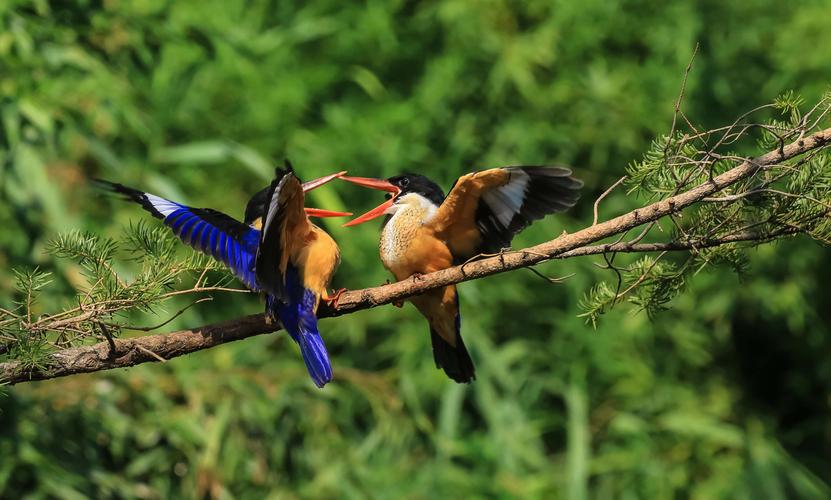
<point>424,231</point>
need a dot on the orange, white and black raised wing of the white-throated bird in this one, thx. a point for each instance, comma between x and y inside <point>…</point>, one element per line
<point>484,210</point>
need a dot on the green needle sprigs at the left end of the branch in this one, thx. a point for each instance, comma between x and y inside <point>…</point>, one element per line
<point>105,296</point>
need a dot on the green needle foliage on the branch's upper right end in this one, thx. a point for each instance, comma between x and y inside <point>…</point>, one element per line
<point>783,198</point>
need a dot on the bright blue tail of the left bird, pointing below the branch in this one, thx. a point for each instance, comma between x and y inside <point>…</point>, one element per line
<point>299,320</point>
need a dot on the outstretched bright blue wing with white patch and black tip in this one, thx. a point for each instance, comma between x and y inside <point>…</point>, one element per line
<point>222,237</point>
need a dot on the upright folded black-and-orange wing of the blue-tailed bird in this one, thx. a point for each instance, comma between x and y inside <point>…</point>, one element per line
<point>285,229</point>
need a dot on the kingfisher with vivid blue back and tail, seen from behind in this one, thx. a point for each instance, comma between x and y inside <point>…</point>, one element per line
<point>276,250</point>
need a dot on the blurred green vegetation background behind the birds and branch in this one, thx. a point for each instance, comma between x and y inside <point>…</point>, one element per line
<point>725,395</point>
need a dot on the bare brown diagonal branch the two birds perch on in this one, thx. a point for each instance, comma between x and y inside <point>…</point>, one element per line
<point>164,347</point>
